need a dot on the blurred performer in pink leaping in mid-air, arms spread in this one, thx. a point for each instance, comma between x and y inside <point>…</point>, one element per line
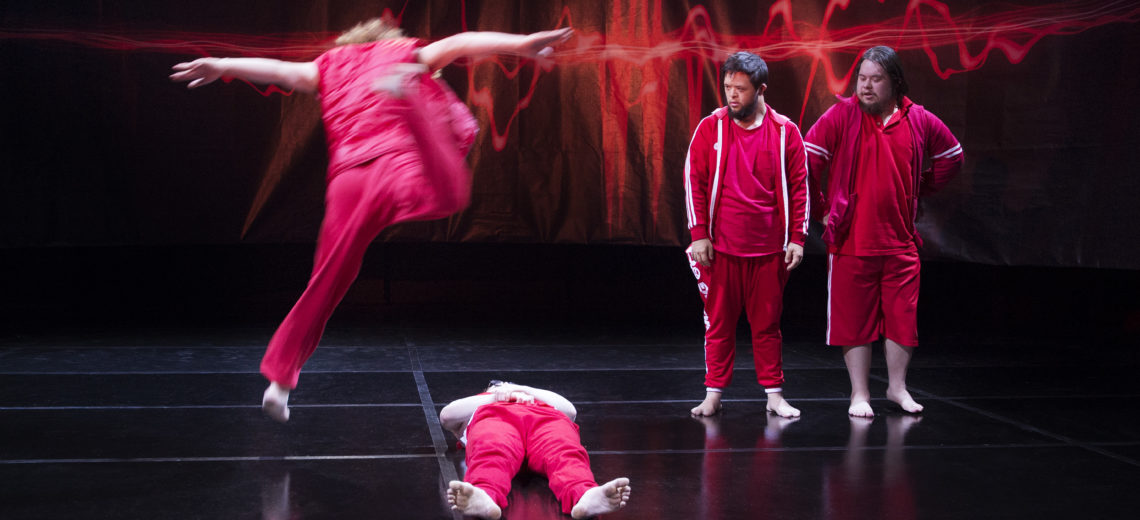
<point>397,141</point>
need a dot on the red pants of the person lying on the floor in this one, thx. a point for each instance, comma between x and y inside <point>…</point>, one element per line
<point>504,436</point>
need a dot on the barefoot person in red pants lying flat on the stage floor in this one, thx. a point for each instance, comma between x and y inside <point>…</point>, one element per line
<point>509,426</point>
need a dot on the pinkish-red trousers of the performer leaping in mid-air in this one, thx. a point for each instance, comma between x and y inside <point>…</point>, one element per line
<point>424,184</point>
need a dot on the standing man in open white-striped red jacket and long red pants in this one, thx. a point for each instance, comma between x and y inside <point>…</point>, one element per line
<point>747,204</point>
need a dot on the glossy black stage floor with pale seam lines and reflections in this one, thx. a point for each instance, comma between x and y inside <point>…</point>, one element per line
<point>153,424</point>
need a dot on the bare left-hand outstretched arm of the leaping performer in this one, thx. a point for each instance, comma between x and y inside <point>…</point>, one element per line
<point>295,76</point>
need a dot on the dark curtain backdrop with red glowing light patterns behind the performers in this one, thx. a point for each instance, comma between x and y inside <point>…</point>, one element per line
<point>100,149</point>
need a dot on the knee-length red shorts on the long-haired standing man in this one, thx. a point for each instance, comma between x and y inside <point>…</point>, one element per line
<point>872,297</point>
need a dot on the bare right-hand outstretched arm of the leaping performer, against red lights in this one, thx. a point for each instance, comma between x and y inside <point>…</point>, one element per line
<point>481,44</point>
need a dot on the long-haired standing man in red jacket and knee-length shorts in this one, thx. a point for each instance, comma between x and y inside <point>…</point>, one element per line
<point>866,157</point>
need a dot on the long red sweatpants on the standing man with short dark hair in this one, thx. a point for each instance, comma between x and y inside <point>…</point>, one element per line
<point>732,286</point>
